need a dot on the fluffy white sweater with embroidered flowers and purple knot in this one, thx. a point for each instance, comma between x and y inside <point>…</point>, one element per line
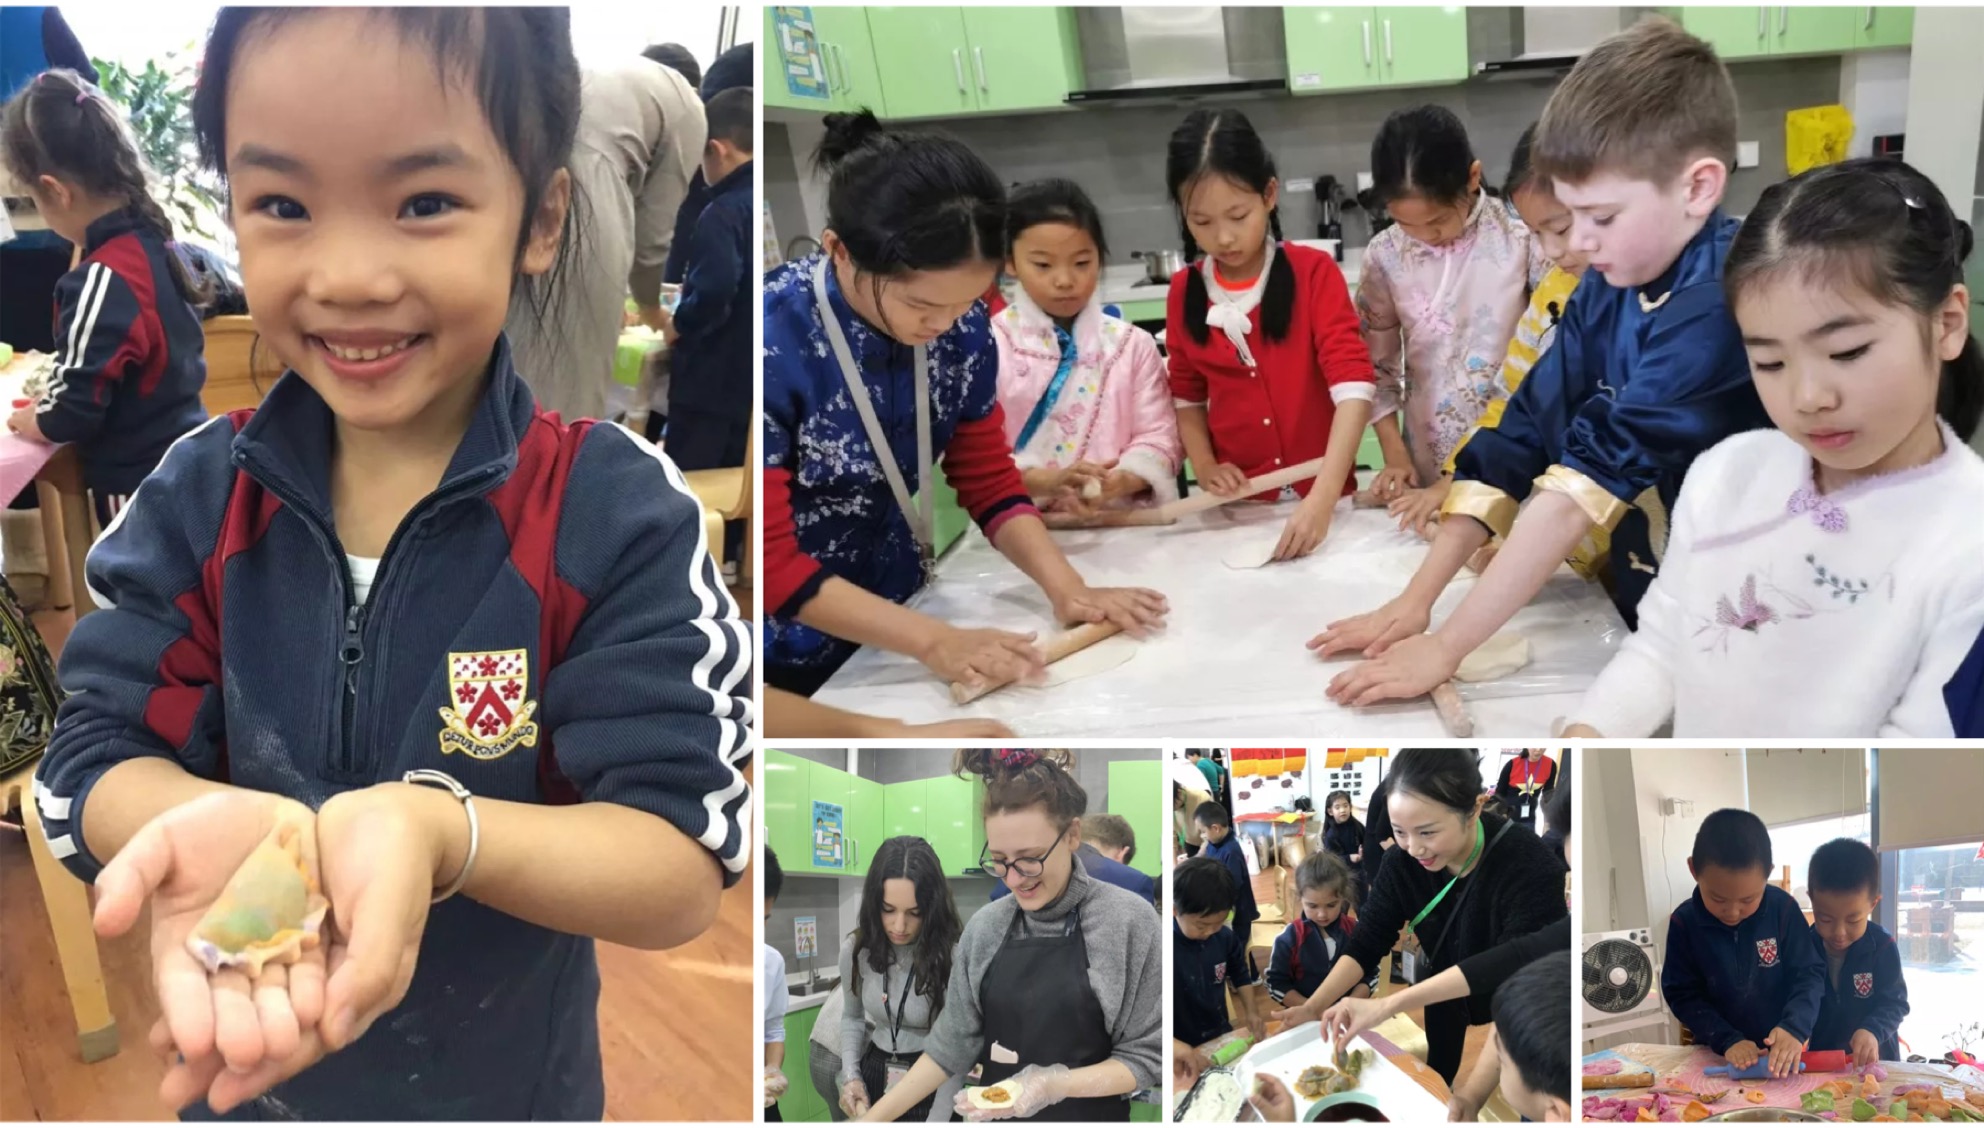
<point>1785,610</point>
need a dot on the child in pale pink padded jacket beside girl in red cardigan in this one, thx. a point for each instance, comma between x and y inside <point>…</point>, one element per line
<point>1088,407</point>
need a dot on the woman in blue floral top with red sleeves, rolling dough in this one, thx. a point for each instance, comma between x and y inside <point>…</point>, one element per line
<point>880,360</point>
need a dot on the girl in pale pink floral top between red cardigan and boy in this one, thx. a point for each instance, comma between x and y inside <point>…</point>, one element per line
<point>1439,294</point>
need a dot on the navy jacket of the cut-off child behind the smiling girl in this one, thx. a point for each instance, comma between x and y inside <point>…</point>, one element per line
<point>711,372</point>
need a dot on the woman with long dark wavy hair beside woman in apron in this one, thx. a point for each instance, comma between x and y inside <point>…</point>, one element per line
<point>896,968</point>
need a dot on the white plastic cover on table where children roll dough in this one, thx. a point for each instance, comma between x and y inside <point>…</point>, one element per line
<point>1231,661</point>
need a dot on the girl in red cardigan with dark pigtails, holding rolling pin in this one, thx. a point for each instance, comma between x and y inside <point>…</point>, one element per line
<point>1267,362</point>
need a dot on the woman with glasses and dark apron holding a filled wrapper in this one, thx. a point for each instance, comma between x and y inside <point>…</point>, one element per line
<point>1056,992</point>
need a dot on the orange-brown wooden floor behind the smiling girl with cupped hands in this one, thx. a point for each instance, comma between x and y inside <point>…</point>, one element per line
<point>678,1030</point>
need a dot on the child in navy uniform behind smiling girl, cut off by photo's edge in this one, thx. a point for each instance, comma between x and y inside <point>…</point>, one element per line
<point>711,330</point>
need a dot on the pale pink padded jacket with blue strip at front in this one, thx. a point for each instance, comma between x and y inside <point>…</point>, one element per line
<point>1098,390</point>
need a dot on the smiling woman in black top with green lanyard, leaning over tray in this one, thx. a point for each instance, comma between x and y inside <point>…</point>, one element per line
<point>1461,881</point>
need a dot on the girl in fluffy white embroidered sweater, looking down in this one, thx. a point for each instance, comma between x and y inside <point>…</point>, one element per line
<point>1824,580</point>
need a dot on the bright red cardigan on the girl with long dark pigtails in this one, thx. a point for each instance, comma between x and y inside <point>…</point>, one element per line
<point>1277,411</point>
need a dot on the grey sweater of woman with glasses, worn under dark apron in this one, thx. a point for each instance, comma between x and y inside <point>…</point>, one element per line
<point>1126,970</point>
